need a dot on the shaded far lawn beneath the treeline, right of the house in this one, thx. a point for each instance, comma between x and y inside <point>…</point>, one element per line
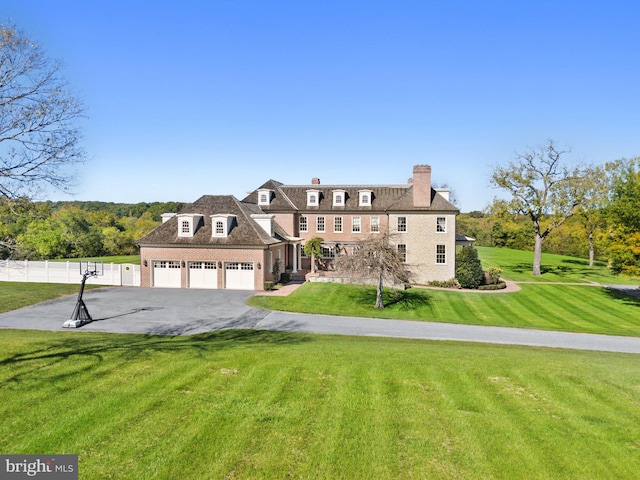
<point>516,265</point>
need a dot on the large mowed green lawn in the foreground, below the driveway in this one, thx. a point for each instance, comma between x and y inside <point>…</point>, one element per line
<point>251,404</point>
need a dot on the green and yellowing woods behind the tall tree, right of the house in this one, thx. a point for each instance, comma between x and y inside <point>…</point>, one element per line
<point>604,227</point>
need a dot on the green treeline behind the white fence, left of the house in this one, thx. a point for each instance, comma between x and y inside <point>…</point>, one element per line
<point>50,230</point>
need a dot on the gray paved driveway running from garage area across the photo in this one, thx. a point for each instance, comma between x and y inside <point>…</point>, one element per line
<point>187,312</point>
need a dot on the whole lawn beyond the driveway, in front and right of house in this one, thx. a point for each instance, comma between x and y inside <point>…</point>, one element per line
<point>564,307</point>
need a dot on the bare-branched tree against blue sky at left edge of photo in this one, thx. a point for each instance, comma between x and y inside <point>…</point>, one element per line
<point>38,134</point>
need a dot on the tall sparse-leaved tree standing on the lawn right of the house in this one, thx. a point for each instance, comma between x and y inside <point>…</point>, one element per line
<point>543,189</point>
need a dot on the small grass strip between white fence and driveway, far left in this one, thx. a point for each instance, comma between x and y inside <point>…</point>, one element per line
<point>14,295</point>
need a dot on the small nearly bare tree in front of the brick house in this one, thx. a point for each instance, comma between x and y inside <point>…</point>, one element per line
<point>375,257</point>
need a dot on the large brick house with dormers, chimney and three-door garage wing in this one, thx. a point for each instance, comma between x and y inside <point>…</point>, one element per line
<point>221,242</point>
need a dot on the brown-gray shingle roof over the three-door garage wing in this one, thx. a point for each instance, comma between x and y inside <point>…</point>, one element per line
<point>245,231</point>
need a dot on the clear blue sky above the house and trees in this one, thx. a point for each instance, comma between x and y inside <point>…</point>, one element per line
<point>216,97</point>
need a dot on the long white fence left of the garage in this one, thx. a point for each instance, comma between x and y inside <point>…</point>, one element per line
<point>67,272</point>
